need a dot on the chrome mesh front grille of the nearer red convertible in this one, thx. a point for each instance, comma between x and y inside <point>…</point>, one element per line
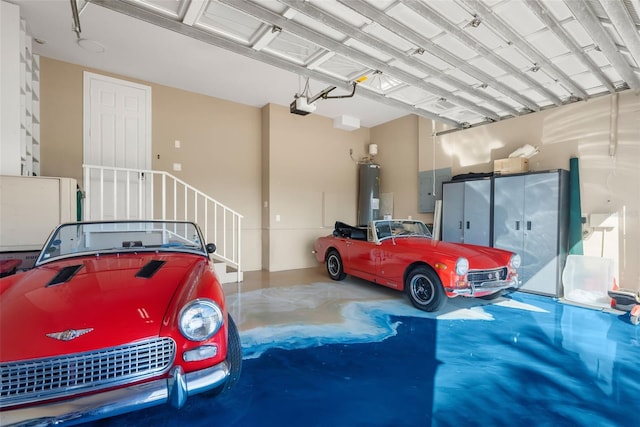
<point>31,380</point>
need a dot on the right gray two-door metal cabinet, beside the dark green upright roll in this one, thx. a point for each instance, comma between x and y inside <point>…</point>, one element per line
<point>531,217</point>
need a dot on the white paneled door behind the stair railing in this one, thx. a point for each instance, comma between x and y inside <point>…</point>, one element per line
<point>117,134</point>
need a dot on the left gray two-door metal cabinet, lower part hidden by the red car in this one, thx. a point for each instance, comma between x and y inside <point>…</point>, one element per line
<point>466,212</point>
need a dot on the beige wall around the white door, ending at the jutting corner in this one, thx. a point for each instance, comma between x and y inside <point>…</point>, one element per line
<point>221,151</point>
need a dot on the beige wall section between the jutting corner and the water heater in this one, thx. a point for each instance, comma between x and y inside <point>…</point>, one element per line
<point>312,182</point>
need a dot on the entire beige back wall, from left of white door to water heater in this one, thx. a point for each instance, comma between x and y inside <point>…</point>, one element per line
<point>259,162</point>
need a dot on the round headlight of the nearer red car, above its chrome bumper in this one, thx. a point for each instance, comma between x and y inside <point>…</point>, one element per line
<point>200,319</point>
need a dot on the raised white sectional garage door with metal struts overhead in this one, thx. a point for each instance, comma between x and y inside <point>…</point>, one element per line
<point>473,61</point>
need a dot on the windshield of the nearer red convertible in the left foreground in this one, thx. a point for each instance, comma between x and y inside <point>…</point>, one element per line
<point>121,236</point>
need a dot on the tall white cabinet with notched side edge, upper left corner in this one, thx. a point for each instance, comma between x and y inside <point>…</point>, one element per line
<point>20,96</point>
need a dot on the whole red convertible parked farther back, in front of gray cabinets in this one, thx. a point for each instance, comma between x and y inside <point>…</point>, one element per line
<point>401,254</point>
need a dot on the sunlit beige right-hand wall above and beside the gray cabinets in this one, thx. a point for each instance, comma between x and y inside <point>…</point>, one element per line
<point>609,184</point>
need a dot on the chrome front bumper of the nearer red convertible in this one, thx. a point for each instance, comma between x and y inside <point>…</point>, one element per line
<point>173,390</point>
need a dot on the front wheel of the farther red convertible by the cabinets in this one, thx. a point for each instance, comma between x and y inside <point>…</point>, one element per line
<point>424,288</point>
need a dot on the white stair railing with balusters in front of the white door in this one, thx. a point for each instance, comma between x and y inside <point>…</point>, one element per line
<point>112,193</point>
